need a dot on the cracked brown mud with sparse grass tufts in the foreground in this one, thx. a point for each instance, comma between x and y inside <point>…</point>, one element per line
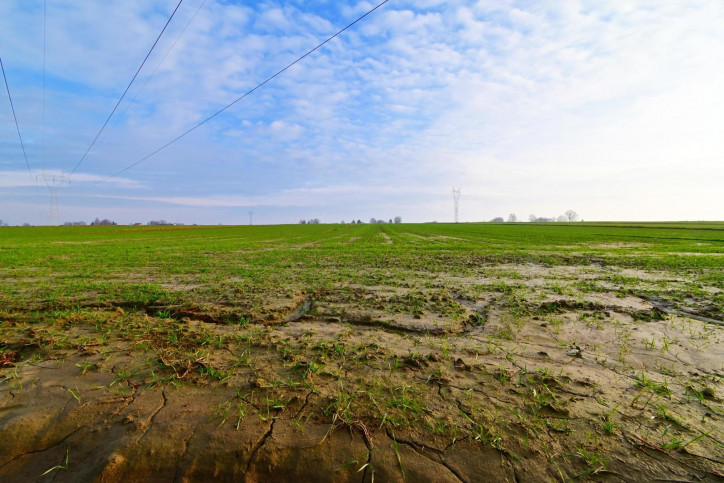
<point>514,375</point>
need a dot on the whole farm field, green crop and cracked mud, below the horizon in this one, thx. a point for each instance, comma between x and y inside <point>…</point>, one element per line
<point>440,352</point>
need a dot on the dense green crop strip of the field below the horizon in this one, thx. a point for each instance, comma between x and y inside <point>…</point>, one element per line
<point>54,266</point>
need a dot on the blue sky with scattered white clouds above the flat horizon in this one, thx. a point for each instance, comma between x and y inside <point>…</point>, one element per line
<point>614,109</point>
